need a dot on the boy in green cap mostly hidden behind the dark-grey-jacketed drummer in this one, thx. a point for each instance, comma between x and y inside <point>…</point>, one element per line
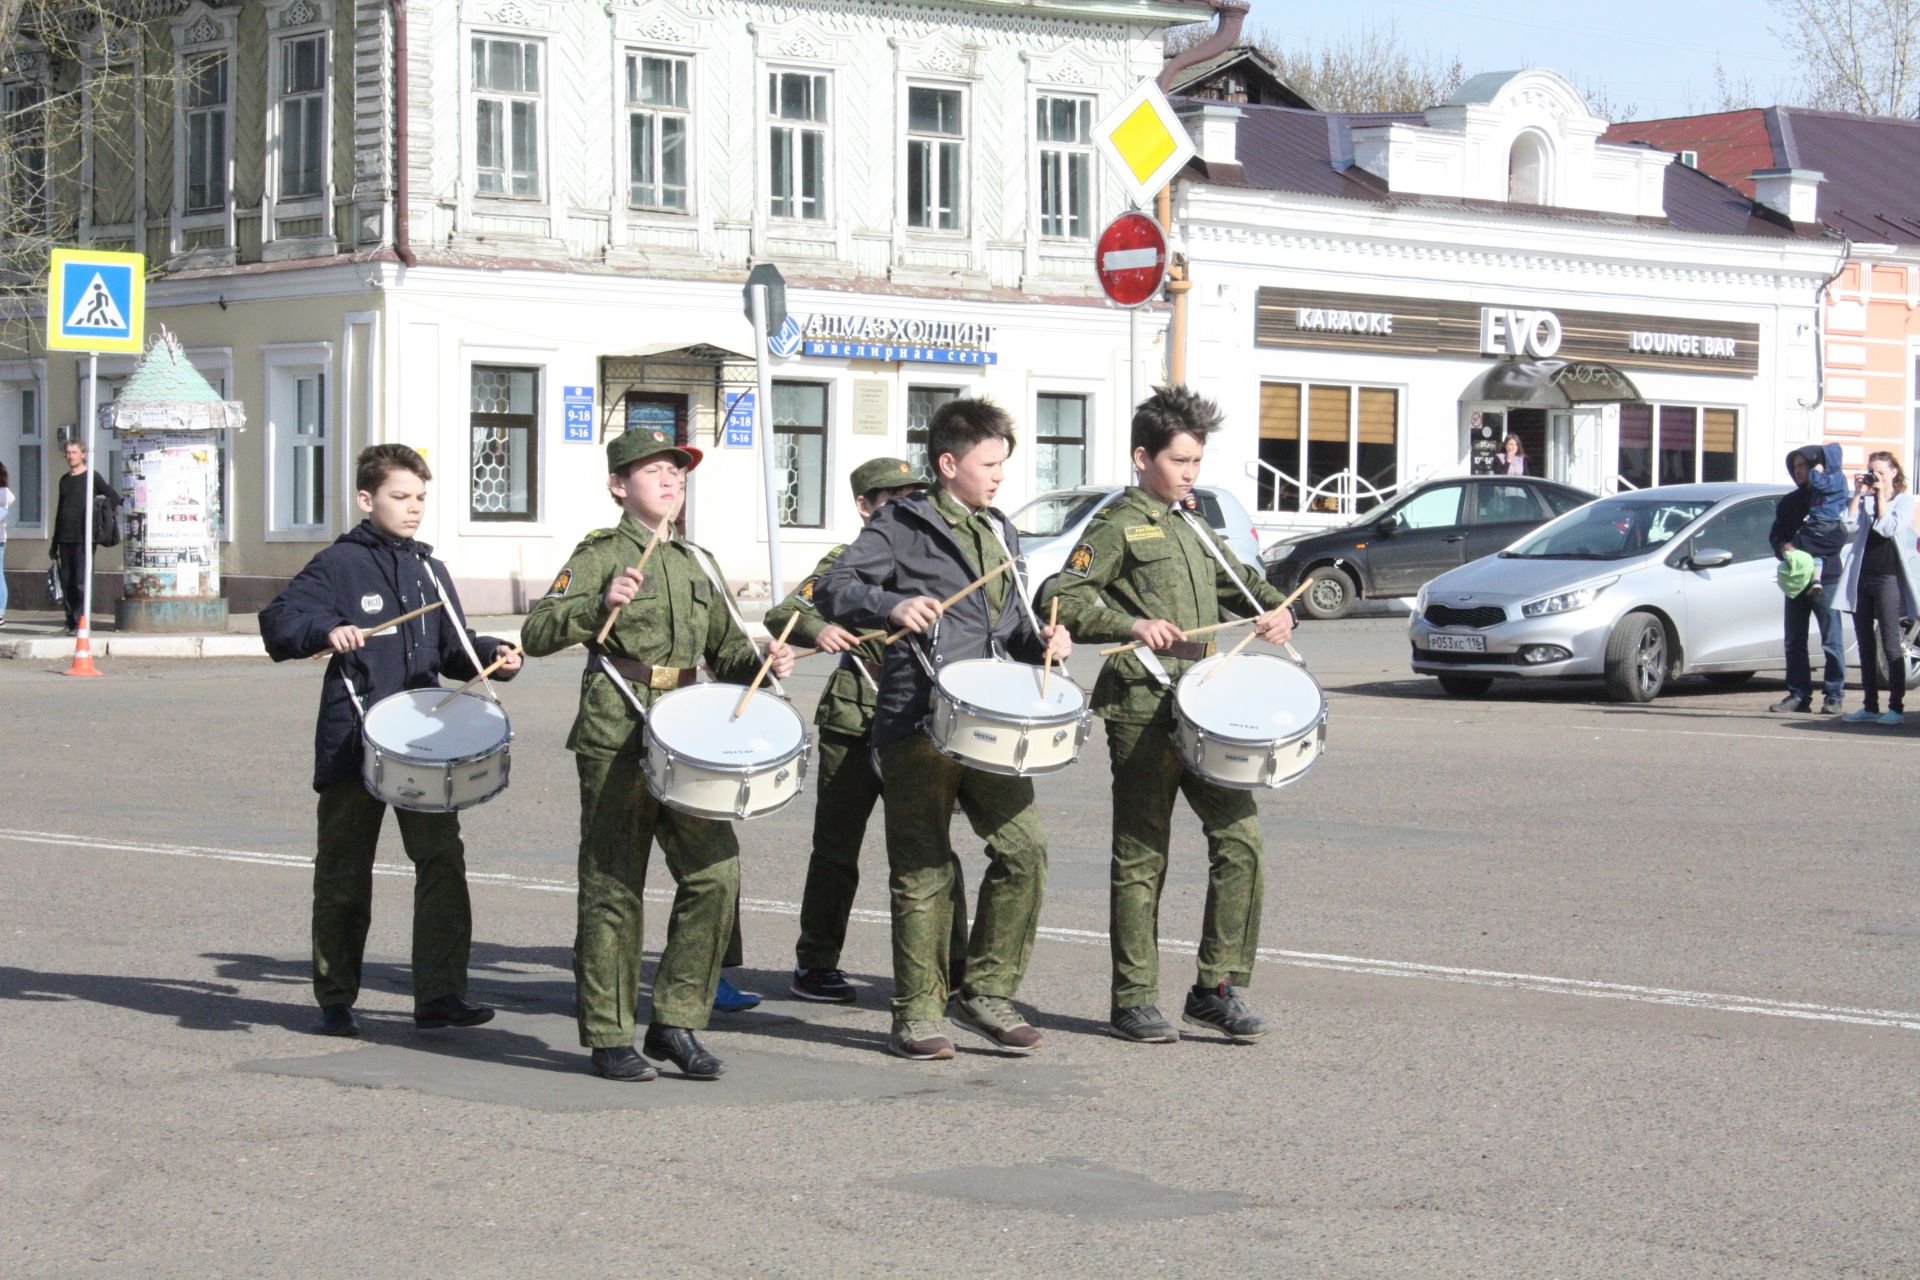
<point>846,769</point>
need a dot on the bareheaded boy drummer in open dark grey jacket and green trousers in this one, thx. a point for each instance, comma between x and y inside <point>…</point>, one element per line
<point>915,554</point>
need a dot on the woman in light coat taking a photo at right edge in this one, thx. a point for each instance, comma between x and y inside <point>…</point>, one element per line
<point>1881,586</point>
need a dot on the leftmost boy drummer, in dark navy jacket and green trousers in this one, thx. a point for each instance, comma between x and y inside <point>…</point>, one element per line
<point>373,573</point>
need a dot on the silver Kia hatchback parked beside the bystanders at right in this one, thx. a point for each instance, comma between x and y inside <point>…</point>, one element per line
<point>1637,588</point>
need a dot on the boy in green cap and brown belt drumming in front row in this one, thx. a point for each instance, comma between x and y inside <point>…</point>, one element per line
<point>669,623</point>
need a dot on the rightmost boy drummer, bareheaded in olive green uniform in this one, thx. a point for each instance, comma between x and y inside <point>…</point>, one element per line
<point>1147,571</point>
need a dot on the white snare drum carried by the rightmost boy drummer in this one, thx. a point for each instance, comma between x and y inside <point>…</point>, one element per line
<point>1262,723</point>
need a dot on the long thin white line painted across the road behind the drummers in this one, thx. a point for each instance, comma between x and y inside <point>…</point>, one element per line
<point>1539,984</point>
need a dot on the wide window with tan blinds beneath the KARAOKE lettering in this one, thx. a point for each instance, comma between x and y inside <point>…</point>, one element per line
<point>1328,448</point>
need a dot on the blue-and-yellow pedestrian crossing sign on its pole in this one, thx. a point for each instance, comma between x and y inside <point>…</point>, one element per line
<point>95,302</point>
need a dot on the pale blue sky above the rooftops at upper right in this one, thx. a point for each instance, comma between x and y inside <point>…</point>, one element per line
<point>1654,57</point>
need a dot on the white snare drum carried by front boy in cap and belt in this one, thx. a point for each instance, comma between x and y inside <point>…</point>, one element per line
<point>704,763</point>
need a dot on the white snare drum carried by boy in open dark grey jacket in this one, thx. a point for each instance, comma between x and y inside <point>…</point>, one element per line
<point>990,715</point>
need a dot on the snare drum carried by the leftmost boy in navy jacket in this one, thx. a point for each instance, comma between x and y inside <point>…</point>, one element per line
<point>435,761</point>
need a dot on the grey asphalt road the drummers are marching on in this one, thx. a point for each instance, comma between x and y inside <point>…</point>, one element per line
<point>1564,989</point>
